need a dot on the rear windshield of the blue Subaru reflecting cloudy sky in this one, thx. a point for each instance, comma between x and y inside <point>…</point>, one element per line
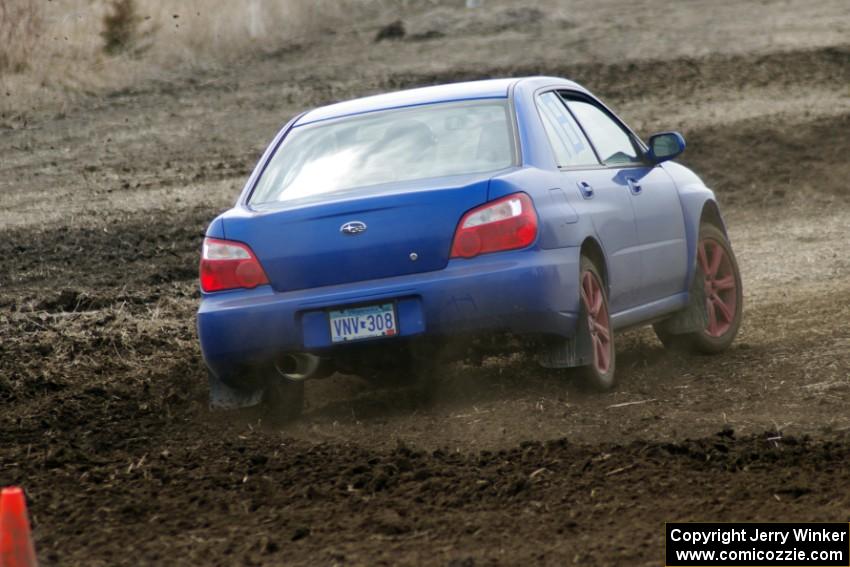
<point>392,145</point>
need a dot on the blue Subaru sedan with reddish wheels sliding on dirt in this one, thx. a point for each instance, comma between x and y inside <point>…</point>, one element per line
<point>472,217</point>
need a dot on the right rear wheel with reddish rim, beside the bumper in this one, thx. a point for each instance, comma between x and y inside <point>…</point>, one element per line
<point>595,328</point>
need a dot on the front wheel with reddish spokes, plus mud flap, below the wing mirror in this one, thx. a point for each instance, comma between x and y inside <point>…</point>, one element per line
<point>717,294</point>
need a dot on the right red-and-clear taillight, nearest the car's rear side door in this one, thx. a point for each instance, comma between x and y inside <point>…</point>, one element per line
<point>504,224</point>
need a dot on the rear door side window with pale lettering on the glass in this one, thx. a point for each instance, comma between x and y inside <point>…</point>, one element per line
<point>568,142</point>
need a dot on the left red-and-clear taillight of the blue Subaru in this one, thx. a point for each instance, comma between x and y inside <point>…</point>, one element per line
<point>229,265</point>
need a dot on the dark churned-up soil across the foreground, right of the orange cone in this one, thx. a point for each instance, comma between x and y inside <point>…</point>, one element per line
<point>253,501</point>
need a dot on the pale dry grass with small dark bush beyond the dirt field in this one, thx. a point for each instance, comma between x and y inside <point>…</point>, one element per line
<point>52,51</point>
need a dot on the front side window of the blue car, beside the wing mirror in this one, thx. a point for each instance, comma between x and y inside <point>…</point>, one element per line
<point>613,144</point>
